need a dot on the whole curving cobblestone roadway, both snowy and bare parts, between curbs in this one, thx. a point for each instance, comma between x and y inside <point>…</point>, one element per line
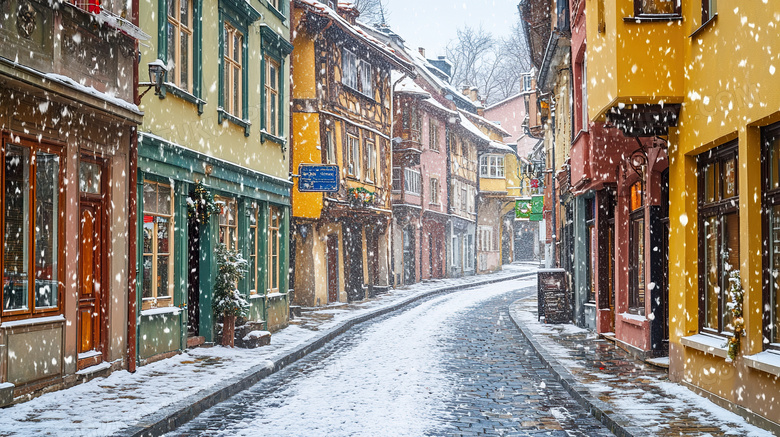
<point>481,378</point>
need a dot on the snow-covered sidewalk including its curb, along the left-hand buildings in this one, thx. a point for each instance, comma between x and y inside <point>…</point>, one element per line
<point>162,395</point>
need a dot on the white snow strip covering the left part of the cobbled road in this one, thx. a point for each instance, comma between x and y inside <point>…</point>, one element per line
<point>402,388</point>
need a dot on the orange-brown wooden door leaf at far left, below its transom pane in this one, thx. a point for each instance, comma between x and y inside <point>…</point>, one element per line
<point>91,314</point>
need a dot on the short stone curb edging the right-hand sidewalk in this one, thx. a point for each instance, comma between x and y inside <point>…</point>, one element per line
<point>617,423</point>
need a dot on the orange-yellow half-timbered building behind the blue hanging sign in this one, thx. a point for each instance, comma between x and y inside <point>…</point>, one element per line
<point>341,115</point>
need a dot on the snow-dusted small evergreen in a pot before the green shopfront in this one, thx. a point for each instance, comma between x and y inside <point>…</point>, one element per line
<point>228,303</point>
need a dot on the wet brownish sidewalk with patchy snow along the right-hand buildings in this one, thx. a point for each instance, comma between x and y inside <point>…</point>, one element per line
<point>631,397</point>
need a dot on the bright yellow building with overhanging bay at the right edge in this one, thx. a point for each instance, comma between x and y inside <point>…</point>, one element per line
<point>713,63</point>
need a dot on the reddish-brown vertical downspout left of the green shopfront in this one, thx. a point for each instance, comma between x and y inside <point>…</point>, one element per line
<point>132,194</point>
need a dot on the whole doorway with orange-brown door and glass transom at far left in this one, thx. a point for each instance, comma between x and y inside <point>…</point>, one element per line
<point>92,304</point>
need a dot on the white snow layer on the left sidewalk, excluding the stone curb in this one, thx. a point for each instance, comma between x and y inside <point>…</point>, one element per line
<point>104,406</point>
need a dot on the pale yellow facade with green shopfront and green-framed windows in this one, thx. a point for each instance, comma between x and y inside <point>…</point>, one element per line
<point>213,164</point>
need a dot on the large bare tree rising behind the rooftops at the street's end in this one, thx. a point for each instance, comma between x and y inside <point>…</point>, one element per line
<point>493,65</point>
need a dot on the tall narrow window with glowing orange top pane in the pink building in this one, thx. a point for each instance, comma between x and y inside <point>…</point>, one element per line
<point>636,243</point>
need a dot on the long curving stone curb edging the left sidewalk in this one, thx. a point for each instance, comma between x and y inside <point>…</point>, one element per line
<point>170,418</point>
